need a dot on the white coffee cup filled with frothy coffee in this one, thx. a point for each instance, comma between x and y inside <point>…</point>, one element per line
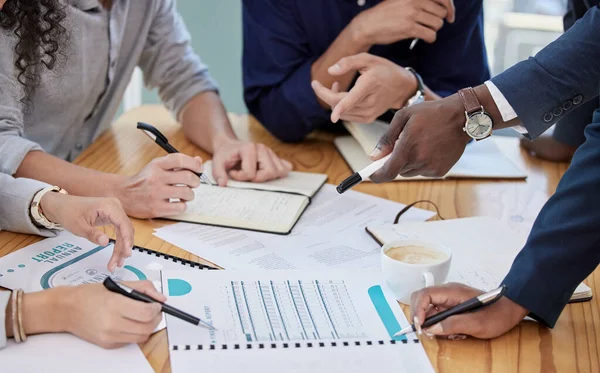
<point>405,278</point>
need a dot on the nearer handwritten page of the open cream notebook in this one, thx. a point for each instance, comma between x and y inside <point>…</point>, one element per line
<point>244,208</point>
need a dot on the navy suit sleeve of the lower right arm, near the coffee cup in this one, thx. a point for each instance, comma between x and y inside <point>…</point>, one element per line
<point>564,245</point>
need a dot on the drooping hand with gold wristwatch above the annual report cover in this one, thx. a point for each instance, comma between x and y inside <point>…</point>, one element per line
<point>81,216</point>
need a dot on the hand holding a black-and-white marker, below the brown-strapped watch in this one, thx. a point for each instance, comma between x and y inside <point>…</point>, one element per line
<point>425,139</point>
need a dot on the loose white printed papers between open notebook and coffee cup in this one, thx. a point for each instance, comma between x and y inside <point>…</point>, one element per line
<point>330,234</point>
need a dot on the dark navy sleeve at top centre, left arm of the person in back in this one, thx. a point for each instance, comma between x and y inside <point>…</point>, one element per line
<point>277,71</point>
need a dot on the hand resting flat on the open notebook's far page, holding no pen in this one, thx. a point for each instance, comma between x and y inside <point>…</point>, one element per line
<point>247,161</point>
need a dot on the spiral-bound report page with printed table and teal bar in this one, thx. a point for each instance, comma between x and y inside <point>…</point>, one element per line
<point>289,321</point>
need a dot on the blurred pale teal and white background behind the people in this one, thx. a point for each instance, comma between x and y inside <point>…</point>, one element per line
<point>514,30</point>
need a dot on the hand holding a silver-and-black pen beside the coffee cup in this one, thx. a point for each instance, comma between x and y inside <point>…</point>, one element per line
<point>489,322</point>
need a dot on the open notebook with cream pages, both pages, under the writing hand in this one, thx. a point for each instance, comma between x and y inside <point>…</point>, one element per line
<point>274,206</point>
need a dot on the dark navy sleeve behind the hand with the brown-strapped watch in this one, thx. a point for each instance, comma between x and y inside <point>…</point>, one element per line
<point>458,58</point>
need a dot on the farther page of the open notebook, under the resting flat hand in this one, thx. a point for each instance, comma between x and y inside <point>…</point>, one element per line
<point>304,183</point>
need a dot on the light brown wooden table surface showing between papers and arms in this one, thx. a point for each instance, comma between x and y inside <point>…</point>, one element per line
<point>574,344</point>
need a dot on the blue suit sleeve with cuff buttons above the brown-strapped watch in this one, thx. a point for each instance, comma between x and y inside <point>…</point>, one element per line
<point>558,79</point>
